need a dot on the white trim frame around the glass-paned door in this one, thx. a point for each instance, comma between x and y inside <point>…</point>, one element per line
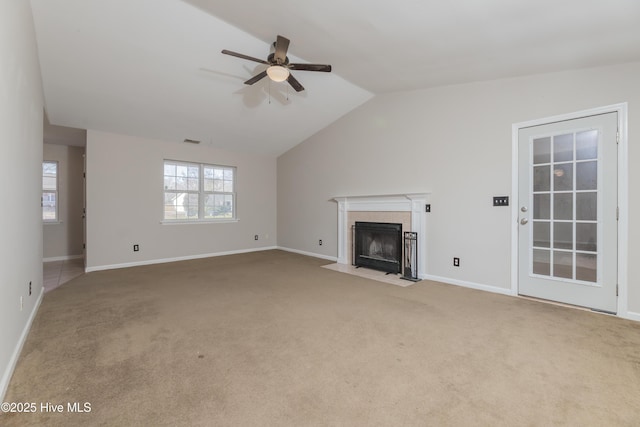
<point>623,193</point>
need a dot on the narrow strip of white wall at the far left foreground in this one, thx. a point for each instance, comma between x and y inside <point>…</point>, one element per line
<point>21,115</point>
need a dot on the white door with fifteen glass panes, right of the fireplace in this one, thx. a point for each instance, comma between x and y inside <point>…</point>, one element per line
<point>567,211</point>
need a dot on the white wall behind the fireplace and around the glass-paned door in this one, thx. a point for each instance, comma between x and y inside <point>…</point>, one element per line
<point>456,143</point>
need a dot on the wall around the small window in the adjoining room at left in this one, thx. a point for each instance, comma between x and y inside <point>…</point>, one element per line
<point>63,239</point>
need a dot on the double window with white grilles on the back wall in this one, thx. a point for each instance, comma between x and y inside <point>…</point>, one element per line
<point>198,192</point>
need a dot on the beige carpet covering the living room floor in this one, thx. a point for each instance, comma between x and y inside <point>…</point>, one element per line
<point>272,339</point>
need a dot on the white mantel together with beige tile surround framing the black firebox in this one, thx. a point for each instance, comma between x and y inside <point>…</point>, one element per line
<point>407,209</point>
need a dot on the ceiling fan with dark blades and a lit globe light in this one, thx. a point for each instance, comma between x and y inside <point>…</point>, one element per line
<point>279,66</point>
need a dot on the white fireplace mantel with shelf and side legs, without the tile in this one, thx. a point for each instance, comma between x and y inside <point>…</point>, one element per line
<point>414,203</point>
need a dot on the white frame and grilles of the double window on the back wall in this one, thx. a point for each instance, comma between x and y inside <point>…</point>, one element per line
<point>205,189</point>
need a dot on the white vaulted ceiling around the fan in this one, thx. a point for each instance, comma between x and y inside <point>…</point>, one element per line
<point>153,68</point>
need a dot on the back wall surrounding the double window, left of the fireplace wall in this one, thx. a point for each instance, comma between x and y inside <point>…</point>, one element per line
<point>125,202</point>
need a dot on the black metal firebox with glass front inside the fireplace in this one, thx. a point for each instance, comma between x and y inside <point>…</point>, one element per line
<point>378,245</point>
